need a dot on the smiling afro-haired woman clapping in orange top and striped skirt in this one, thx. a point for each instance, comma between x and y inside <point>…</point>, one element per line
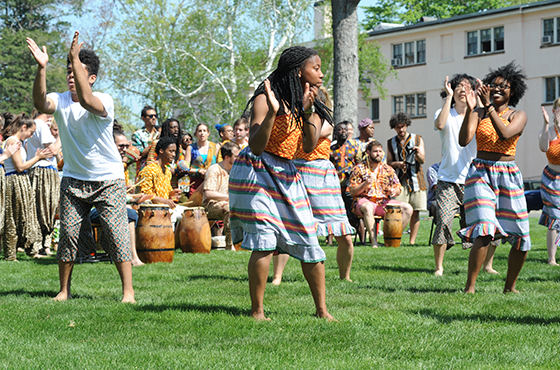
<point>494,201</point>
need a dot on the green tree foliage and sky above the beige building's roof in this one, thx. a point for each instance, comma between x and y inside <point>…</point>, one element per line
<point>410,11</point>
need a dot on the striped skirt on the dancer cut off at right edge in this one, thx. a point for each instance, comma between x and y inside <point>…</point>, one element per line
<point>550,194</point>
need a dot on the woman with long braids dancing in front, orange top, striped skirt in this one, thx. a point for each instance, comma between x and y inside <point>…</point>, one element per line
<point>268,202</point>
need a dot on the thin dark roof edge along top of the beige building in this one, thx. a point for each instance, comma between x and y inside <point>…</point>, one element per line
<point>386,30</point>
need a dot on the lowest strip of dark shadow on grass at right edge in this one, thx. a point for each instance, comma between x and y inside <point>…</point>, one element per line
<point>486,318</point>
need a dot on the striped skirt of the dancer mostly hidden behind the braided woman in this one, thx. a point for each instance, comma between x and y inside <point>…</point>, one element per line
<point>323,189</point>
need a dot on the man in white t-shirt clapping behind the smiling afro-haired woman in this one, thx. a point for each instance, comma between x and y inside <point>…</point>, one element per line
<point>455,163</point>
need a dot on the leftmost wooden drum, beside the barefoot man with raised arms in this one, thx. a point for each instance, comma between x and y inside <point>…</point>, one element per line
<point>155,241</point>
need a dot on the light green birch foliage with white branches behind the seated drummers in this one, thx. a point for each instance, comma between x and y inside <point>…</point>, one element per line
<point>200,59</point>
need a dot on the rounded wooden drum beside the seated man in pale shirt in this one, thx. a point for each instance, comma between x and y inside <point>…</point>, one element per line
<point>193,234</point>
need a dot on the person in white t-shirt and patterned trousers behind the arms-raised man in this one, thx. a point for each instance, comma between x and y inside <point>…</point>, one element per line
<point>44,179</point>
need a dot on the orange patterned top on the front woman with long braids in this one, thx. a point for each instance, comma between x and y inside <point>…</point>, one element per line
<point>284,137</point>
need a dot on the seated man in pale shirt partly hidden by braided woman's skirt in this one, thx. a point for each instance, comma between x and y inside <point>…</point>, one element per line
<point>215,188</point>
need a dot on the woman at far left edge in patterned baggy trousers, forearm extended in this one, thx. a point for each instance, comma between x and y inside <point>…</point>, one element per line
<point>21,228</point>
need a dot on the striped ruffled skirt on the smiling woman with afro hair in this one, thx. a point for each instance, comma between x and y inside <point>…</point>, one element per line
<point>495,204</point>
